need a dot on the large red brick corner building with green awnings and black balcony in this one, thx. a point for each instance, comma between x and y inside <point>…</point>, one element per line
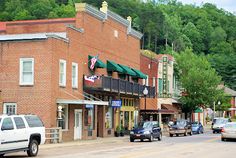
<point>45,70</point>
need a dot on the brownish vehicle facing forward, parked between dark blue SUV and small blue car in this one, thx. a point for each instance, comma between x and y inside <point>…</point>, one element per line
<point>180,127</point>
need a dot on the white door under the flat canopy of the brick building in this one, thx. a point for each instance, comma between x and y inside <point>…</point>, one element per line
<point>78,124</point>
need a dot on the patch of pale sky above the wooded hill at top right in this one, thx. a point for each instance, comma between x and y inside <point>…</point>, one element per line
<point>228,5</point>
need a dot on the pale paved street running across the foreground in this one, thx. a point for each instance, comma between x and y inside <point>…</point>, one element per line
<point>205,145</point>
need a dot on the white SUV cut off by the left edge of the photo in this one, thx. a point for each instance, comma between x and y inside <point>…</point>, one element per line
<point>21,133</point>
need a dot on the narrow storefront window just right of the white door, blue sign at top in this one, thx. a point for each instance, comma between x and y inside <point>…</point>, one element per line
<point>89,117</point>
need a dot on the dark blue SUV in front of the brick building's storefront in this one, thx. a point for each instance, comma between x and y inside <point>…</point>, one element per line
<point>146,130</point>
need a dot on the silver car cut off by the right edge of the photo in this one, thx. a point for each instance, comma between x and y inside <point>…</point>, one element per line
<point>228,131</point>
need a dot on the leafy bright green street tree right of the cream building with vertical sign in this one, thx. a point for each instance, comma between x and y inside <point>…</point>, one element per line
<point>198,79</point>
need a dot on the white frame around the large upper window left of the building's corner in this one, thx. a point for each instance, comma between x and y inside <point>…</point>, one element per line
<point>21,82</point>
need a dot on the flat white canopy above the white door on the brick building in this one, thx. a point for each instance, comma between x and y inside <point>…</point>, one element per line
<point>67,101</point>
